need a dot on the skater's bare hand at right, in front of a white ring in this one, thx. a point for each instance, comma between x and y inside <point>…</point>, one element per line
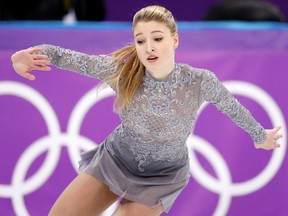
<point>271,140</point>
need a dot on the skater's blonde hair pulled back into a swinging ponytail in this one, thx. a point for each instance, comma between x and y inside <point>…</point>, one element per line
<point>131,71</point>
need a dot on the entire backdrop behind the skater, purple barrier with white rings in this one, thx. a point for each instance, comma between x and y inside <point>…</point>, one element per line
<point>45,124</point>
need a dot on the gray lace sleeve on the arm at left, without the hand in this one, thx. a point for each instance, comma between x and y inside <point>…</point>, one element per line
<point>96,66</point>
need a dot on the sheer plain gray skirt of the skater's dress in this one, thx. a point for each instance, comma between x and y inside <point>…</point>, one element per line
<point>152,190</point>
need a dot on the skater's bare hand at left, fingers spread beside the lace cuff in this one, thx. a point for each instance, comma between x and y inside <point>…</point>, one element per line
<point>24,61</point>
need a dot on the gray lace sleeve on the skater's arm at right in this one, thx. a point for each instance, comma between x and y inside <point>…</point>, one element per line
<point>215,92</point>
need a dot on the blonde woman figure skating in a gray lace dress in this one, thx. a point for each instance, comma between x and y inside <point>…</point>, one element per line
<point>144,160</point>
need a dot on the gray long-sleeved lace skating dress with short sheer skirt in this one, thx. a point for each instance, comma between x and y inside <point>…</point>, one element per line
<point>145,159</point>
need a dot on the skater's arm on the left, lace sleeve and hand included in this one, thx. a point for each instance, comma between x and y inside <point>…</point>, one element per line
<point>39,57</point>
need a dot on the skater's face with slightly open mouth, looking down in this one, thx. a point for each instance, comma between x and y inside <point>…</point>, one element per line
<point>155,46</point>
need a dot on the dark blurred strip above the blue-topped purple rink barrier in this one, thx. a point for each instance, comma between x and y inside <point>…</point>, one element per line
<point>112,10</point>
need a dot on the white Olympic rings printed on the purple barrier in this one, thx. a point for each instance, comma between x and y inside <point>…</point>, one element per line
<point>55,140</point>
